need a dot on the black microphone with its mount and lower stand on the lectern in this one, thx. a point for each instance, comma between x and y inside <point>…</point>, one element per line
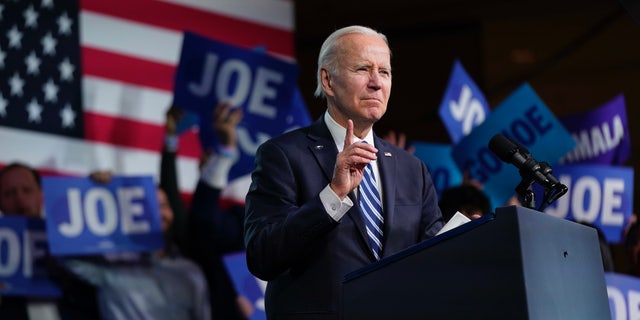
<point>531,171</point>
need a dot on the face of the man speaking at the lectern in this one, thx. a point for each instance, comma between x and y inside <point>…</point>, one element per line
<point>361,86</point>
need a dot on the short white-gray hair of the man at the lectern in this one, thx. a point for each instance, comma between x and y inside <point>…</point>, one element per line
<point>328,56</point>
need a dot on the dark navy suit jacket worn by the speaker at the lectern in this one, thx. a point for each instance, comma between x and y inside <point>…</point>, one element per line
<point>298,248</point>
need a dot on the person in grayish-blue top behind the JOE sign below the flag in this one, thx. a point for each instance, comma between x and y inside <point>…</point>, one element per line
<point>151,285</point>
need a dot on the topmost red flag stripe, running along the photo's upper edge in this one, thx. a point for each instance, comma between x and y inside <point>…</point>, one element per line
<point>223,28</point>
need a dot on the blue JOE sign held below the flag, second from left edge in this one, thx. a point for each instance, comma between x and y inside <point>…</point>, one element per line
<point>87,217</point>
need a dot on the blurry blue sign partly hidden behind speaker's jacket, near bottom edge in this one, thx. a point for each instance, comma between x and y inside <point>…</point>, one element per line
<point>246,284</point>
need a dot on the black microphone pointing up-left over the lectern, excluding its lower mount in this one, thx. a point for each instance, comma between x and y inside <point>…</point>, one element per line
<point>510,151</point>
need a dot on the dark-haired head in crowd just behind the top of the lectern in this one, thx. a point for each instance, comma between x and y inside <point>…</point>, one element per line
<point>465,198</point>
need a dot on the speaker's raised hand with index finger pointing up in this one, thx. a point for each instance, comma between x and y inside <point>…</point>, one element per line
<point>350,164</point>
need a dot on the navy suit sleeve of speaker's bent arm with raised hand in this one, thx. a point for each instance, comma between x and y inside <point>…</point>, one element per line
<point>279,227</point>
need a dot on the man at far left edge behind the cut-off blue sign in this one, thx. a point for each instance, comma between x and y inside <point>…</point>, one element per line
<point>21,194</point>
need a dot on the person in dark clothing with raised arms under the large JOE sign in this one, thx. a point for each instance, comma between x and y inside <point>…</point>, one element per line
<point>212,230</point>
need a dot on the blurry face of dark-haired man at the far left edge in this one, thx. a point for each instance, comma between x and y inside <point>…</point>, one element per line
<point>20,193</point>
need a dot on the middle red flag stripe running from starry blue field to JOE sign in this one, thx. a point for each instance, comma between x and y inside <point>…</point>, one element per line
<point>105,64</point>
